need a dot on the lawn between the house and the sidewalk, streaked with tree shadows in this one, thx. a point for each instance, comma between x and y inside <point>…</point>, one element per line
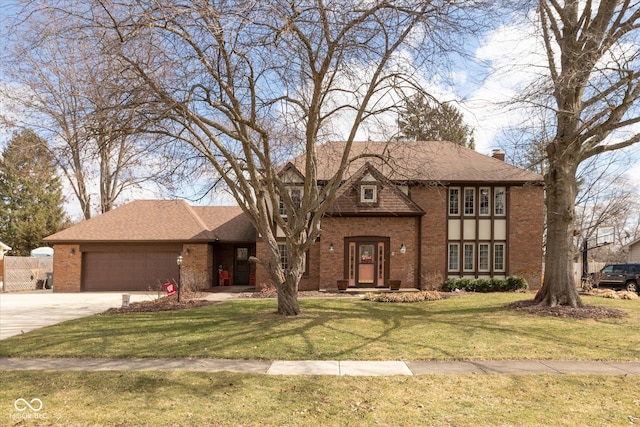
<point>475,326</point>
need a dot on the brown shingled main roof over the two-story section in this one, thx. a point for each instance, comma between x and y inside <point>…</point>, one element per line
<point>426,161</point>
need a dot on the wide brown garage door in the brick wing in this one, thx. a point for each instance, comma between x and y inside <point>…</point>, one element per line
<point>127,271</point>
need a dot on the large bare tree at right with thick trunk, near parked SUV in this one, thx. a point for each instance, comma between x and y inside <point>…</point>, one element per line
<point>593,52</point>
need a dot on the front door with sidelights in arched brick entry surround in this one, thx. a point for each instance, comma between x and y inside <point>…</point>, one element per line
<point>367,261</point>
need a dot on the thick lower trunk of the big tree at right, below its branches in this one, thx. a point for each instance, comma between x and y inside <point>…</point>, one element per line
<point>559,287</point>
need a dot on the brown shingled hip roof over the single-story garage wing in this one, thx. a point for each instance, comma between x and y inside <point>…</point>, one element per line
<point>145,221</point>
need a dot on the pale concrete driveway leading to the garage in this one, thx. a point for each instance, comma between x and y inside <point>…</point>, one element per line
<point>25,311</point>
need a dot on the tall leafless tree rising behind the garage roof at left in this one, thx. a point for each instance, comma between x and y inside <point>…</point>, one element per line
<point>75,96</point>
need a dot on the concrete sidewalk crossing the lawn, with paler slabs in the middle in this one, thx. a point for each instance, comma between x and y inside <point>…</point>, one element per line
<point>329,367</point>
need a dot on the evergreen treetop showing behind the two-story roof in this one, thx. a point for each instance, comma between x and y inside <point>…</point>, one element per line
<point>421,119</point>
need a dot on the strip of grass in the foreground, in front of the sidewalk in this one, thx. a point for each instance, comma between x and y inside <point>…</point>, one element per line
<point>226,399</point>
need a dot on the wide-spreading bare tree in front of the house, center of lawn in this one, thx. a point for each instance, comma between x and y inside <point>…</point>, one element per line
<point>250,84</point>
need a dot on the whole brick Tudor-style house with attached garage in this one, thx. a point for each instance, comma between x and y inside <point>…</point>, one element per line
<point>418,212</point>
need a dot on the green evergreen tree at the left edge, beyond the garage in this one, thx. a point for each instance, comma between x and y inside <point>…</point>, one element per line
<point>30,193</point>
